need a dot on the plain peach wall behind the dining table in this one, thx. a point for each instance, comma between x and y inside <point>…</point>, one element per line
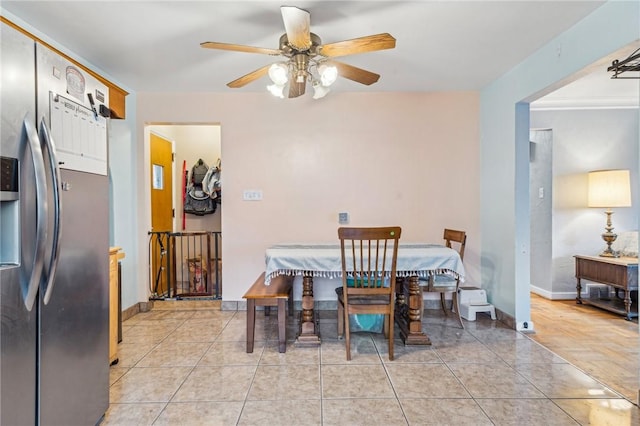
<point>386,158</point>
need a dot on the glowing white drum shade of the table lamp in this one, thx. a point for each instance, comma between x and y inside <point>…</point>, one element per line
<point>609,188</point>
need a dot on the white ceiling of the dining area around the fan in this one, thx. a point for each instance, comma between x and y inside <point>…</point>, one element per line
<point>441,45</point>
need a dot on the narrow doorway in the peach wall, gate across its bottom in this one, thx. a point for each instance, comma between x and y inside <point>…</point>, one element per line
<point>193,144</point>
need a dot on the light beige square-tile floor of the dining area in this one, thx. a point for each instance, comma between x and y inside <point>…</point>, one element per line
<point>185,363</point>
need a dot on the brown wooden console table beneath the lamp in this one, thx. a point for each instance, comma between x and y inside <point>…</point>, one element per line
<point>621,273</point>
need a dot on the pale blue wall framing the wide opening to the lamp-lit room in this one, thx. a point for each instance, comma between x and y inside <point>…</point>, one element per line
<point>504,144</point>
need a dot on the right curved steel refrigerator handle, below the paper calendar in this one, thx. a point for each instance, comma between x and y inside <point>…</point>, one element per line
<point>46,138</point>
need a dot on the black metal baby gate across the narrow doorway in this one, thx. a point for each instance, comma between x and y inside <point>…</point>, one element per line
<point>185,264</point>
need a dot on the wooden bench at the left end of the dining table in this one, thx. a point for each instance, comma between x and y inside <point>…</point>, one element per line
<point>279,290</point>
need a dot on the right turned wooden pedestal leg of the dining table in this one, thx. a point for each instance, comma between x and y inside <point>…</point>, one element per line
<point>409,317</point>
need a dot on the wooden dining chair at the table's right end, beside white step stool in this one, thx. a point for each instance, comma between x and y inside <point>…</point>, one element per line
<point>441,283</point>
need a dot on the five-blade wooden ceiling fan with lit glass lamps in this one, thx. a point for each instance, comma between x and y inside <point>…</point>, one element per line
<point>308,60</point>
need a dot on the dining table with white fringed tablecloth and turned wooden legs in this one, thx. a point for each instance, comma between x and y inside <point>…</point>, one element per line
<point>323,260</point>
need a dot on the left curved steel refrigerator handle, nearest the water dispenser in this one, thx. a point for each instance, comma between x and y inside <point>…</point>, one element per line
<point>41,213</point>
